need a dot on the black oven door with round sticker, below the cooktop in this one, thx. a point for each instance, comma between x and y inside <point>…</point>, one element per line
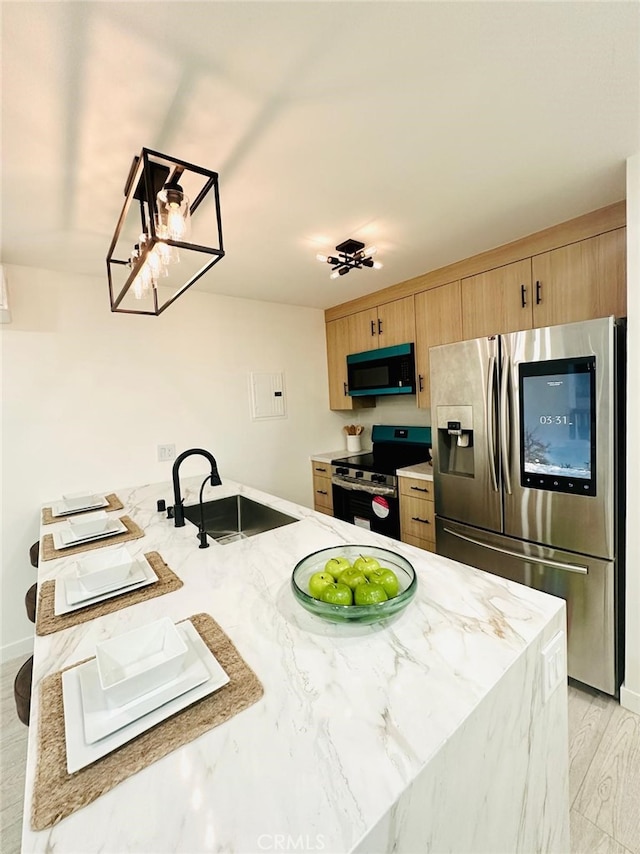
<point>367,509</point>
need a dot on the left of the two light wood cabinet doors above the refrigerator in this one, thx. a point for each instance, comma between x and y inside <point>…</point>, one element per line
<point>497,301</point>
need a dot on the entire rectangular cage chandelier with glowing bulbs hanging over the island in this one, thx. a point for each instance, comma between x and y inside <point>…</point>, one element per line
<point>160,248</point>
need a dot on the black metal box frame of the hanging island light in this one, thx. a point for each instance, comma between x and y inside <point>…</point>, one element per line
<point>147,176</point>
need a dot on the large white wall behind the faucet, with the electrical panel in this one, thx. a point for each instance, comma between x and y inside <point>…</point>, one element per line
<point>87,395</point>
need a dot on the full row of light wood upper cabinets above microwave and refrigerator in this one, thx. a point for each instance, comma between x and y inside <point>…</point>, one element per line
<point>569,272</point>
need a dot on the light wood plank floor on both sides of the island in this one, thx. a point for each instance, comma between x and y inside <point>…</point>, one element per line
<point>604,769</point>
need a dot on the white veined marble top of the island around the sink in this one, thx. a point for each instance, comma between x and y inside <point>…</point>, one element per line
<point>350,717</point>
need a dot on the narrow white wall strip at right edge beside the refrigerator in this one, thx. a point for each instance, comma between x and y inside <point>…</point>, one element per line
<point>630,690</point>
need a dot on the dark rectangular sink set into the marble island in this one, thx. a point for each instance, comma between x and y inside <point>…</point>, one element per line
<point>236,517</point>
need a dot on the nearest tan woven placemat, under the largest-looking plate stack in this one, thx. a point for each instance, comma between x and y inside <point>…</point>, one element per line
<point>57,794</point>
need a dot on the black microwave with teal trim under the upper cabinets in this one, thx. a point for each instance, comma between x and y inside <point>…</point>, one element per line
<point>389,370</point>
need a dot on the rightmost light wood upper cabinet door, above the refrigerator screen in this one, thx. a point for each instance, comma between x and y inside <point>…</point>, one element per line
<point>581,281</point>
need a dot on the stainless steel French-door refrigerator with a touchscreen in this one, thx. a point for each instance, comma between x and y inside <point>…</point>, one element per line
<point>528,470</point>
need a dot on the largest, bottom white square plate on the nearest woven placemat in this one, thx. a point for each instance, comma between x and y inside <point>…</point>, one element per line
<point>81,754</point>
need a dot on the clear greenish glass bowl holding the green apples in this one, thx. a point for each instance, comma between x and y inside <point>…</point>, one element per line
<point>316,561</point>
